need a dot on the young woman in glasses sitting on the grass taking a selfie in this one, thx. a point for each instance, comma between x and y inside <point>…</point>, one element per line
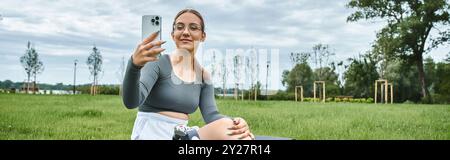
<point>168,88</point>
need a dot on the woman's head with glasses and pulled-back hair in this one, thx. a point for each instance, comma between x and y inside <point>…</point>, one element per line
<point>187,32</point>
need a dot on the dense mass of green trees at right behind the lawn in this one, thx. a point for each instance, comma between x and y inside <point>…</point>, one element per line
<point>397,54</point>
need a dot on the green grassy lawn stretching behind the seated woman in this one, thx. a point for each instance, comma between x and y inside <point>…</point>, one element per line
<point>104,117</point>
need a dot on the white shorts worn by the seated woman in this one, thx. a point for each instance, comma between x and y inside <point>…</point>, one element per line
<point>154,126</point>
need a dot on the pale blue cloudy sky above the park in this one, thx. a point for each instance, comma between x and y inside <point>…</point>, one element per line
<point>62,31</point>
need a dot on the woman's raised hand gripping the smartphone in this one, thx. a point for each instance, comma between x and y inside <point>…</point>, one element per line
<point>148,50</point>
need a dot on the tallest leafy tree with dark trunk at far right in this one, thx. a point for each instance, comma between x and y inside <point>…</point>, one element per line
<point>409,23</point>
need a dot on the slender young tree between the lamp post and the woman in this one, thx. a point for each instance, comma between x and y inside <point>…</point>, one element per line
<point>94,62</point>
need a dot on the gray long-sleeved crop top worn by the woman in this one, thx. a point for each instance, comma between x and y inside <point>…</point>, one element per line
<point>155,88</point>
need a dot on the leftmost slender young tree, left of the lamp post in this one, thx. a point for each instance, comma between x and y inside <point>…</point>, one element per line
<point>32,65</point>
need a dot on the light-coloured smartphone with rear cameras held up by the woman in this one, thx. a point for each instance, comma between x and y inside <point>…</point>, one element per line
<point>151,24</point>
